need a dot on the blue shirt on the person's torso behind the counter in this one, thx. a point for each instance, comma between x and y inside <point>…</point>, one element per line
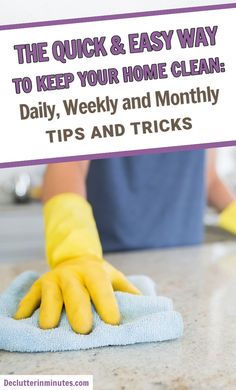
<point>148,201</point>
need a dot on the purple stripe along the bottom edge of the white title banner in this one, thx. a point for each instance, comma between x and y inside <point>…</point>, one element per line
<point>118,154</point>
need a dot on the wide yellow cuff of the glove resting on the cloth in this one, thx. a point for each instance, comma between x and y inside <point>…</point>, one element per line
<point>70,229</point>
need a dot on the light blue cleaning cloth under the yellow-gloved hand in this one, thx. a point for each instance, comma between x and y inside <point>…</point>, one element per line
<point>147,318</point>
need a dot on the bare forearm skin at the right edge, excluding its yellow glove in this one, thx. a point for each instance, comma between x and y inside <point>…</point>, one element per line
<point>219,194</point>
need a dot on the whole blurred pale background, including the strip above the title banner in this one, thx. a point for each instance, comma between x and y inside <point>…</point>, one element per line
<point>21,224</point>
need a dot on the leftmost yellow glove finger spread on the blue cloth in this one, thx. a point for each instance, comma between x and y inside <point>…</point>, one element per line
<point>30,302</point>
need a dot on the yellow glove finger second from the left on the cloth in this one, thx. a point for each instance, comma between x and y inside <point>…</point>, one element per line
<point>51,304</point>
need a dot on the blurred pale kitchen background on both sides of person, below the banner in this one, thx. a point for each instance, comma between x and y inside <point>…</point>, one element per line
<point>21,233</point>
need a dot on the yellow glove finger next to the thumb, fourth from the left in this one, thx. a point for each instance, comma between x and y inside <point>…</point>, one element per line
<point>103,297</point>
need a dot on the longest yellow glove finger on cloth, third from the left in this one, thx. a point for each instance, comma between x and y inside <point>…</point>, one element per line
<point>77,305</point>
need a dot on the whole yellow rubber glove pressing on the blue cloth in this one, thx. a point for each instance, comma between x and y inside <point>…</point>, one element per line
<point>79,273</point>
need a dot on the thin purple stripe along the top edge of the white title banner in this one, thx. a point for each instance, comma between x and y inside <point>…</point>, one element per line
<point>118,16</point>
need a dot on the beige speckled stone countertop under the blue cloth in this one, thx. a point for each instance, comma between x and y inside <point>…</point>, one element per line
<point>202,283</point>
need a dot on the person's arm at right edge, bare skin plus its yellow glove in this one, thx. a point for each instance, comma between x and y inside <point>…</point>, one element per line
<point>220,196</point>
